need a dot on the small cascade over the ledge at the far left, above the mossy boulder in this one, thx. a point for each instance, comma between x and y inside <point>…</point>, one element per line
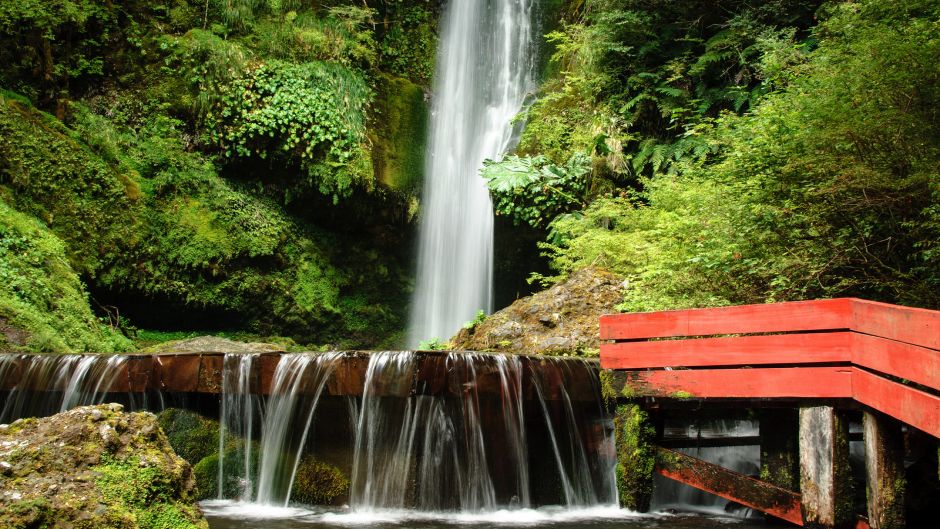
<point>75,380</point>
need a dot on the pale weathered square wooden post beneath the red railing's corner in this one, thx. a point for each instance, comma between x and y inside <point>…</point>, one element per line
<point>825,476</point>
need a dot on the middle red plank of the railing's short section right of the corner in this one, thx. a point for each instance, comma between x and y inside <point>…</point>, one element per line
<point>910,362</point>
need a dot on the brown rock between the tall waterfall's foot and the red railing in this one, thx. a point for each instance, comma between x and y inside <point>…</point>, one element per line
<point>560,320</point>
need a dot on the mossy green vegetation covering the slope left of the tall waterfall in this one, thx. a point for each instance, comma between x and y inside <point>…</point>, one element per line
<point>233,164</point>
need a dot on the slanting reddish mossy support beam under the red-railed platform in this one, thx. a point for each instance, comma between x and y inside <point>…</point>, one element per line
<point>747,491</point>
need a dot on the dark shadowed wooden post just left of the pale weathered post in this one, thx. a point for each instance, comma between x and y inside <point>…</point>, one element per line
<point>779,447</point>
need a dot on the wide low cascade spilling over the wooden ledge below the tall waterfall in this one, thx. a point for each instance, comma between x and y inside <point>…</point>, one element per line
<point>425,432</point>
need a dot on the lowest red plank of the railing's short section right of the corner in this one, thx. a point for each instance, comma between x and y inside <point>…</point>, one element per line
<point>914,407</point>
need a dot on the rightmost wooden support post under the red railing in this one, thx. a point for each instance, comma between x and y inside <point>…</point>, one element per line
<point>884,470</point>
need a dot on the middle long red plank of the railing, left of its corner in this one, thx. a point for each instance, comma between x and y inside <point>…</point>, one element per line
<point>745,350</point>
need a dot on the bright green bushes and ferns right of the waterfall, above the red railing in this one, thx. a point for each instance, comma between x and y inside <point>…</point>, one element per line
<point>741,152</point>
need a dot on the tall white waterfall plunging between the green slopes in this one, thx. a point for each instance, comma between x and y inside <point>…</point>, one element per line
<point>485,68</point>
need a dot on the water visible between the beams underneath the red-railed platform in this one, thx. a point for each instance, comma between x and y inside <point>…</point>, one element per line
<point>669,494</point>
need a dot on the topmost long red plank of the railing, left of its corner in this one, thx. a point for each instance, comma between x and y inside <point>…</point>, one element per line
<point>827,314</point>
